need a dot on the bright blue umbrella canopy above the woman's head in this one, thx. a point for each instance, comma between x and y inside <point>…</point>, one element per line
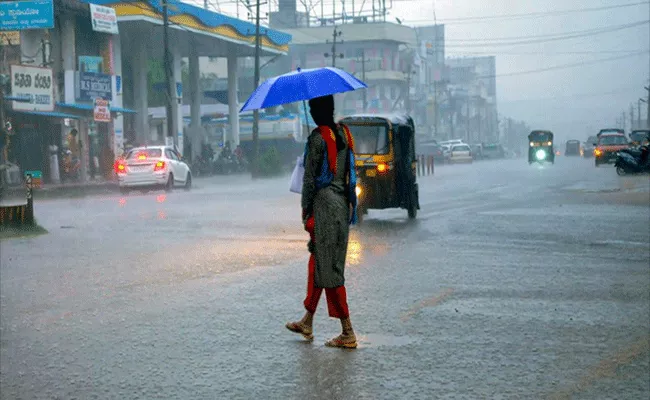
<point>300,85</point>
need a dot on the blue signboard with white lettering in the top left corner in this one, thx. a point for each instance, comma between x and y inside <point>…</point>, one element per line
<point>27,14</point>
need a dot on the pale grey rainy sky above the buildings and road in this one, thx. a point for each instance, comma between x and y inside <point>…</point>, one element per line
<point>572,102</point>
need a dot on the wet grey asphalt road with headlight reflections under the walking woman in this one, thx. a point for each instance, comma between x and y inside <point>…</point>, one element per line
<point>514,282</point>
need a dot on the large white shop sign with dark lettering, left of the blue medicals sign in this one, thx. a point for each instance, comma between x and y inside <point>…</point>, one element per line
<point>35,84</point>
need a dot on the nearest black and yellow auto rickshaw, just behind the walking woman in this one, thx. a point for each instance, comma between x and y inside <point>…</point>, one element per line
<point>386,162</point>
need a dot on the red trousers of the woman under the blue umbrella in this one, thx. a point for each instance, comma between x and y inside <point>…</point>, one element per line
<point>337,302</point>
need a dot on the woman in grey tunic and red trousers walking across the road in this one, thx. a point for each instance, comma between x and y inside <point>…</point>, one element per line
<point>328,208</point>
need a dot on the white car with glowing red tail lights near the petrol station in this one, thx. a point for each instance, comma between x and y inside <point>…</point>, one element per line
<point>152,167</point>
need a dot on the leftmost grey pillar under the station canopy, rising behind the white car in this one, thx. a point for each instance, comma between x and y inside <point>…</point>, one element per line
<point>140,91</point>
